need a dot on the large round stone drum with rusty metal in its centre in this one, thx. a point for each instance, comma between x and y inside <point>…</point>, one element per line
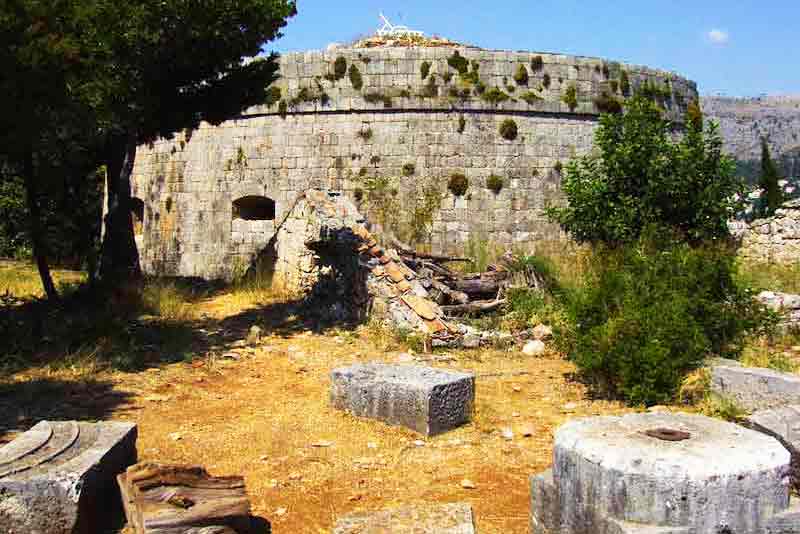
<point>638,474</point>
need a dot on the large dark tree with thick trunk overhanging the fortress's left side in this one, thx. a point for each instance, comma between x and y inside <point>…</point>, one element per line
<point>171,65</point>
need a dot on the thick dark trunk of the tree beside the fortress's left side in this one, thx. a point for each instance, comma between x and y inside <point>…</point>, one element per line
<point>119,259</point>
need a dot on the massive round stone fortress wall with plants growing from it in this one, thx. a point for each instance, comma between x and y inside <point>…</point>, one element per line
<point>440,145</point>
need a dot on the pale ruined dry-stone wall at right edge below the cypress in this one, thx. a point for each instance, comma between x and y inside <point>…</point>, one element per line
<point>775,239</point>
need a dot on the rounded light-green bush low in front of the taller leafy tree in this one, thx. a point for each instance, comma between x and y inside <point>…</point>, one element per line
<point>652,312</point>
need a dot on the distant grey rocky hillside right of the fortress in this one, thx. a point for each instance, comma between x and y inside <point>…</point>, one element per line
<point>744,121</point>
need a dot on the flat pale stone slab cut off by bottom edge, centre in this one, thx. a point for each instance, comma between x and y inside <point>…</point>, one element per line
<point>453,518</point>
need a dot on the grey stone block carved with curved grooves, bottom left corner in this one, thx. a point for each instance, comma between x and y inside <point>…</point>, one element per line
<point>59,477</point>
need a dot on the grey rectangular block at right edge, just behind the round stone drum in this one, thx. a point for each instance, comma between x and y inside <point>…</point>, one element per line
<point>754,388</point>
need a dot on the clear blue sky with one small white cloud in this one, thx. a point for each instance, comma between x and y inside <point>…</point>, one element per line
<point>739,48</point>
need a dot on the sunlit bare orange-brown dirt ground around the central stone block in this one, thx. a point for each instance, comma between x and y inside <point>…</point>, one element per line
<point>266,415</point>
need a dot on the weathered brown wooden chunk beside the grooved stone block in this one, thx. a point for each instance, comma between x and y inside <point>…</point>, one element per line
<point>172,499</point>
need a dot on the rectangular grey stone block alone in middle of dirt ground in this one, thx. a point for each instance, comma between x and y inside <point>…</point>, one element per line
<point>427,400</point>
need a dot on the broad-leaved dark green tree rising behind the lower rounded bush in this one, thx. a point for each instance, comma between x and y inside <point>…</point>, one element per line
<point>642,175</point>
